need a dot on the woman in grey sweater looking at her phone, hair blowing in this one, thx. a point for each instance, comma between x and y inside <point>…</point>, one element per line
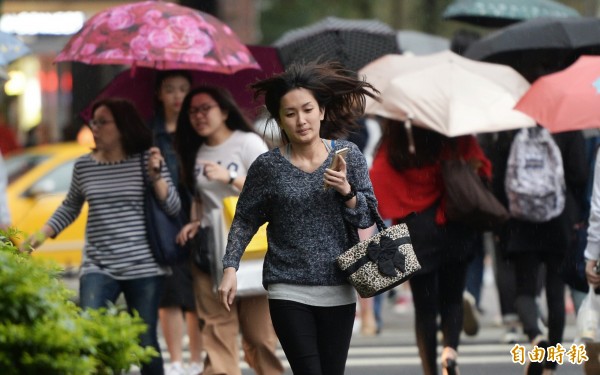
<point>309,209</point>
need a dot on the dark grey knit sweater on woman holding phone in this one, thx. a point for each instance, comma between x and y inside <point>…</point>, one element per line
<point>306,230</point>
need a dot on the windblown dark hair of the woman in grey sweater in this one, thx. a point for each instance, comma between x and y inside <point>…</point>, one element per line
<point>337,91</point>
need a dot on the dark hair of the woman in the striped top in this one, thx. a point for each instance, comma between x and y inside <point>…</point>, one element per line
<point>136,137</point>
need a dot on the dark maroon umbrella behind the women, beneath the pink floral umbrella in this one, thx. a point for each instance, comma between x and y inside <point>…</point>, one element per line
<point>139,88</point>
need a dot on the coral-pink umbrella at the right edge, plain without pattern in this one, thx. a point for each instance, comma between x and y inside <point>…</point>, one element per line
<point>566,100</point>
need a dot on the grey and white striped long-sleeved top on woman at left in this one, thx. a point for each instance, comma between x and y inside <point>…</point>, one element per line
<point>116,241</point>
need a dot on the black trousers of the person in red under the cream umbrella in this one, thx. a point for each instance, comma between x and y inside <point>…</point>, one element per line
<point>438,292</point>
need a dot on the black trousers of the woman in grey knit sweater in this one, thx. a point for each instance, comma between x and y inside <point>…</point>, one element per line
<point>315,339</point>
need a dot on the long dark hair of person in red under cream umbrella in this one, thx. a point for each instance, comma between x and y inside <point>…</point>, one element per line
<point>428,145</point>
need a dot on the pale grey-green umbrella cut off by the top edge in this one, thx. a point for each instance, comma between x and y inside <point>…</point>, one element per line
<point>499,13</point>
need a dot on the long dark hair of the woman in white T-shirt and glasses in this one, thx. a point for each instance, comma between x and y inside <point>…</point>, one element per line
<point>187,141</point>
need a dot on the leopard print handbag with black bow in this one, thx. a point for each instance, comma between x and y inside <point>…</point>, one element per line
<point>382,262</point>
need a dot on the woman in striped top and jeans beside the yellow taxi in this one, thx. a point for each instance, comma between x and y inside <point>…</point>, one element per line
<point>116,256</point>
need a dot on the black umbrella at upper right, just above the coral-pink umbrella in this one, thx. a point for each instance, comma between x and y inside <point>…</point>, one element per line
<point>539,46</point>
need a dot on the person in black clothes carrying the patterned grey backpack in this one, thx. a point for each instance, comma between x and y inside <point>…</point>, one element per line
<point>533,245</point>
